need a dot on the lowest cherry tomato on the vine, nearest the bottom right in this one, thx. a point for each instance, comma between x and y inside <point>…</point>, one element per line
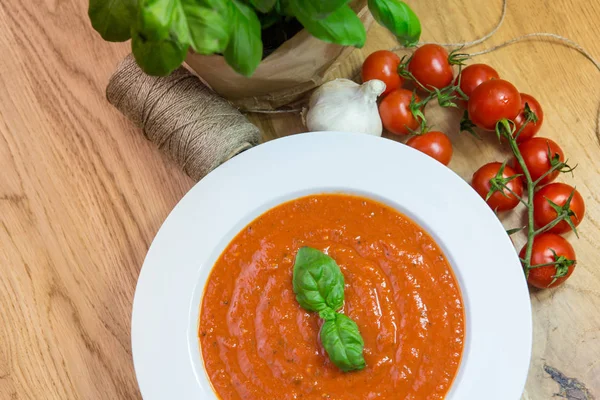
<point>547,248</point>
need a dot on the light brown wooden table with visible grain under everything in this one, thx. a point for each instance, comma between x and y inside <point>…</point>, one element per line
<point>82,193</point>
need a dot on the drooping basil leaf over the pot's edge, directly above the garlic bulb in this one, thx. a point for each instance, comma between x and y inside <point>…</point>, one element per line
<point>341,26</point>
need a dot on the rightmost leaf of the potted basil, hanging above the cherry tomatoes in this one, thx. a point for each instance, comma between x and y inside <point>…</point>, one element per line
<point>399,18</point>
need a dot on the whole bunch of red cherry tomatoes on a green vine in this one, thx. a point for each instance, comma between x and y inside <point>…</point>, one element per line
<point>490,104</point>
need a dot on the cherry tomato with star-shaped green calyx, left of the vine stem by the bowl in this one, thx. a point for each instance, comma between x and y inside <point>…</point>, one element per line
<point>486,177</point>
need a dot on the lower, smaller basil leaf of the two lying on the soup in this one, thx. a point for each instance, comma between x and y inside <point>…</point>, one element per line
<point>342,341</point>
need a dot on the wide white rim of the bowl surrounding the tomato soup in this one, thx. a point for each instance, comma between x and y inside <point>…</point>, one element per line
<point>164,331</point>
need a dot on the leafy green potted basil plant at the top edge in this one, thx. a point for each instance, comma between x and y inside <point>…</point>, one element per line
<point>163,31</point>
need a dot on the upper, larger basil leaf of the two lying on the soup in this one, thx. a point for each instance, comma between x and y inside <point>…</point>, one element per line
<point>317,281</point>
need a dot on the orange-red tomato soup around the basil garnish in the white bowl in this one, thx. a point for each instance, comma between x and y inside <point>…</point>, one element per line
<point>258,343</point>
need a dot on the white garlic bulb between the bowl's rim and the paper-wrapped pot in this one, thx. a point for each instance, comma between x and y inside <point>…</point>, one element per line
<point>345,106</point>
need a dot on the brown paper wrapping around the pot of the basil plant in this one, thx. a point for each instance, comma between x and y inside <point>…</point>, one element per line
<point>299,65</point>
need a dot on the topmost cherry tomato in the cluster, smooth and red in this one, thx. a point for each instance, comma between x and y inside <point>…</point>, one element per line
<point>430,66</point>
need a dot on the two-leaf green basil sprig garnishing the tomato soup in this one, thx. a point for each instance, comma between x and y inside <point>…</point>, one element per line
<point>319,286</point>
